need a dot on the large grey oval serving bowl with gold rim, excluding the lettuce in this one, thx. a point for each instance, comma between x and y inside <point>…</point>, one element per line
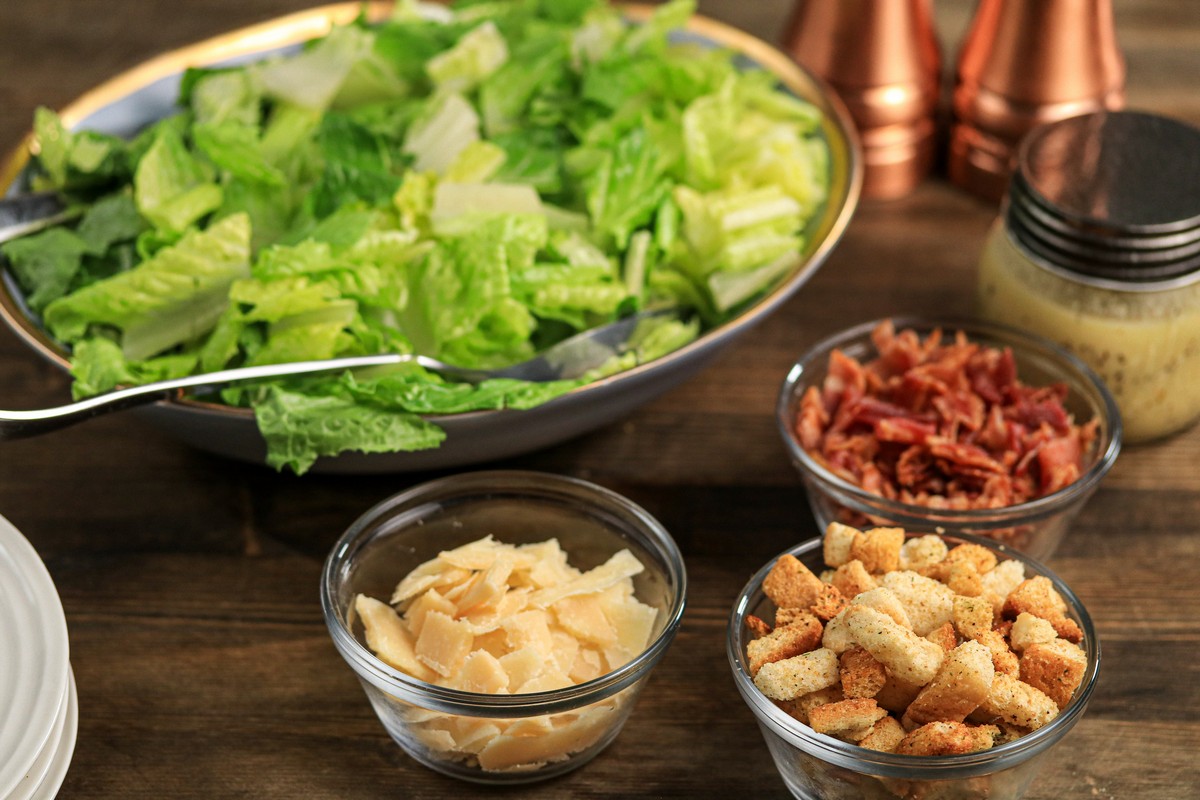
<point>135,99</point>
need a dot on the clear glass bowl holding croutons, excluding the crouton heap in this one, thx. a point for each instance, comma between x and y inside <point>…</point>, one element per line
<point>817,767</point>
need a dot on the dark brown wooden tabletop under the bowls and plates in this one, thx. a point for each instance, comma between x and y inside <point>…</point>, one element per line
<point>190,584</point>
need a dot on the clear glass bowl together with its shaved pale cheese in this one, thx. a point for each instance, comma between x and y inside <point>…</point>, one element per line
<point>503,623</point>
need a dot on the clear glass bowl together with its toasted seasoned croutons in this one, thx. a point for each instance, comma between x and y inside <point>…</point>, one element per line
<point>883,664</point>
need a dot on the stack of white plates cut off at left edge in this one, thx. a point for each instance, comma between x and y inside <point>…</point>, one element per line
<point>39,711</point>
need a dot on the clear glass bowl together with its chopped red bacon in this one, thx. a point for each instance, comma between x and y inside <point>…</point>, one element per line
<point>949,426</point>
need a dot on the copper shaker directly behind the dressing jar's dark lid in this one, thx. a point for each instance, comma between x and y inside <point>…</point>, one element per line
<point>1025,63</point>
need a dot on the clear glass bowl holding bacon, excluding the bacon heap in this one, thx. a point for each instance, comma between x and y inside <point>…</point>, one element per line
<point>1035,527</point>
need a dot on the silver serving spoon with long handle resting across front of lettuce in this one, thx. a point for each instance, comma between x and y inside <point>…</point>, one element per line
<point>569,359</point>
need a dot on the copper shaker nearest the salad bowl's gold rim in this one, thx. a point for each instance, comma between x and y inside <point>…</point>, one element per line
<point>883,59</point>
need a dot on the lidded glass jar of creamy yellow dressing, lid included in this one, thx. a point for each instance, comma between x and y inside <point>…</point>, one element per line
<point>1099,249</point>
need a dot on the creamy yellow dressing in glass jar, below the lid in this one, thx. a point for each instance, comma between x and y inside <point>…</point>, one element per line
<point>1144,345</point>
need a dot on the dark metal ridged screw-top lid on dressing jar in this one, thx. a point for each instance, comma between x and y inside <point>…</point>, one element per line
<point>1113,196</point>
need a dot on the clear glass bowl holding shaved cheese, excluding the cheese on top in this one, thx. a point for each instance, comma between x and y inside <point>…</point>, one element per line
<point>571,726</point>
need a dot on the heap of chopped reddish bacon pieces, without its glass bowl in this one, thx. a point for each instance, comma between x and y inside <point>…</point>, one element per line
<point>943,423</point>
